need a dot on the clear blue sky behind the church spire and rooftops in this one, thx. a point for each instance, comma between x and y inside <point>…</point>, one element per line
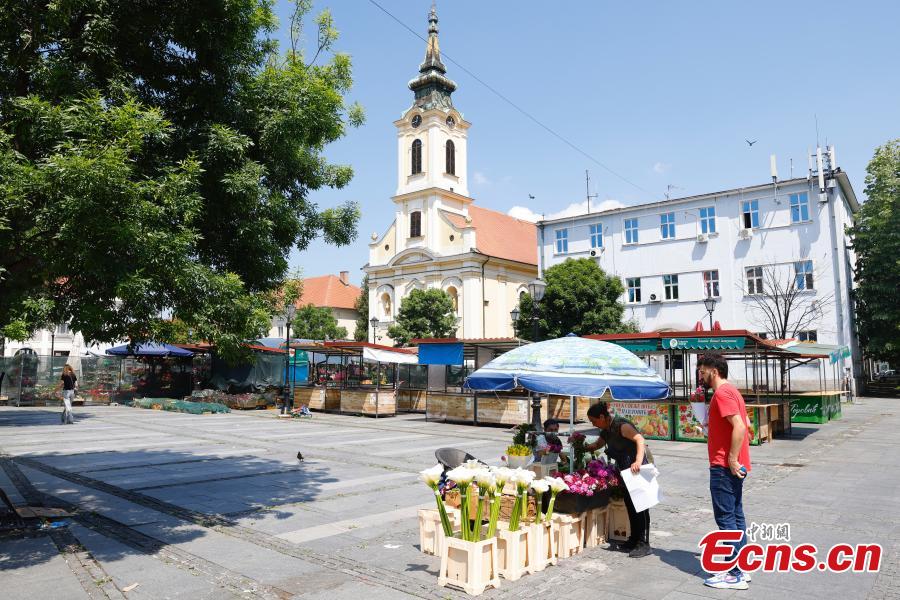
<point>661,93</point>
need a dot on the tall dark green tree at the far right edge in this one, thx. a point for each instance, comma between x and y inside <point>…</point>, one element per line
<point>877,245</point>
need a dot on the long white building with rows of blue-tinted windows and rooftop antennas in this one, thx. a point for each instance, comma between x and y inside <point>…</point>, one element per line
<point>737,245</point>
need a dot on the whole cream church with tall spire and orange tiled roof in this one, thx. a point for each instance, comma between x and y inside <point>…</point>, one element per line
<point>439,239</point>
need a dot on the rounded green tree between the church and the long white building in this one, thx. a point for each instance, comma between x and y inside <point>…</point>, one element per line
<point>580,298</point>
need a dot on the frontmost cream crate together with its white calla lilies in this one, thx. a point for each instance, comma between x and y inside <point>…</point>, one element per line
<point>469,562</point>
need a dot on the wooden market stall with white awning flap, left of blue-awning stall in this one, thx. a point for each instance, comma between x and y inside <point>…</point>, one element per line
<point>352,377</point>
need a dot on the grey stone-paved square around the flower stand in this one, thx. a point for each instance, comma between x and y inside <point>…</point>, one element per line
<point>218,506</point>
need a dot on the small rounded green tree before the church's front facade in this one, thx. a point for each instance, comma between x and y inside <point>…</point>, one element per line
<point>424,314</point>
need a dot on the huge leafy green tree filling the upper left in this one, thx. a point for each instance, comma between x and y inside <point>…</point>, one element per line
<point>156,158</point>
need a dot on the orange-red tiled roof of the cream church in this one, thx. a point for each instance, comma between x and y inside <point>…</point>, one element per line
<point>499,235</point>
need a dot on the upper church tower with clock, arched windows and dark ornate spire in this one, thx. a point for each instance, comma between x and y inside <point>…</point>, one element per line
<point>431,134</point>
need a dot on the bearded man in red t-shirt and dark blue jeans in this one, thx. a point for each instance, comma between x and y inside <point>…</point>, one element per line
<point>729,459</point>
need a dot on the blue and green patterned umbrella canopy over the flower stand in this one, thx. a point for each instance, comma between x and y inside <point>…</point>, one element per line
<point>571,366</point>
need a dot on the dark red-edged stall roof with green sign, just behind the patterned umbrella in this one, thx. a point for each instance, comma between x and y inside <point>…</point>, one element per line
<point>741,340</point>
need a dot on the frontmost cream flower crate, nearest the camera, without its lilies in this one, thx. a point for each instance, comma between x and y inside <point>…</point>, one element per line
<point>469,566</point>
